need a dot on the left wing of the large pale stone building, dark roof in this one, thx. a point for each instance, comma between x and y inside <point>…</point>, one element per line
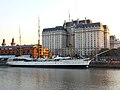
<point>54,39</point>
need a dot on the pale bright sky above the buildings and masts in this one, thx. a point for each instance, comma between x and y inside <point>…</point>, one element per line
<point>23,14</point>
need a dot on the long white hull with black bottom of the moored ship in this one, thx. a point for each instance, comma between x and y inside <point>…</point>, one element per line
<point>50,64</point>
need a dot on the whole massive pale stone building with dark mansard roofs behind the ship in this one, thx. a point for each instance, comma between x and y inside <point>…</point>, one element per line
<point>83,36</point>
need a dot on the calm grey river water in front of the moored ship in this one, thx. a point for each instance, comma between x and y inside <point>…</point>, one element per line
<point>12,78</point>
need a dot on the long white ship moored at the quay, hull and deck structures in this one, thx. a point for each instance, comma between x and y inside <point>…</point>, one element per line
<point>58,62</point>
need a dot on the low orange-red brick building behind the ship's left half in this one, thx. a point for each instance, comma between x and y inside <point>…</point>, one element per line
<point>30,50</point>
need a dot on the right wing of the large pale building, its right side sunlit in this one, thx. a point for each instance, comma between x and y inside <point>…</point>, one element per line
<point>90,38</point>
